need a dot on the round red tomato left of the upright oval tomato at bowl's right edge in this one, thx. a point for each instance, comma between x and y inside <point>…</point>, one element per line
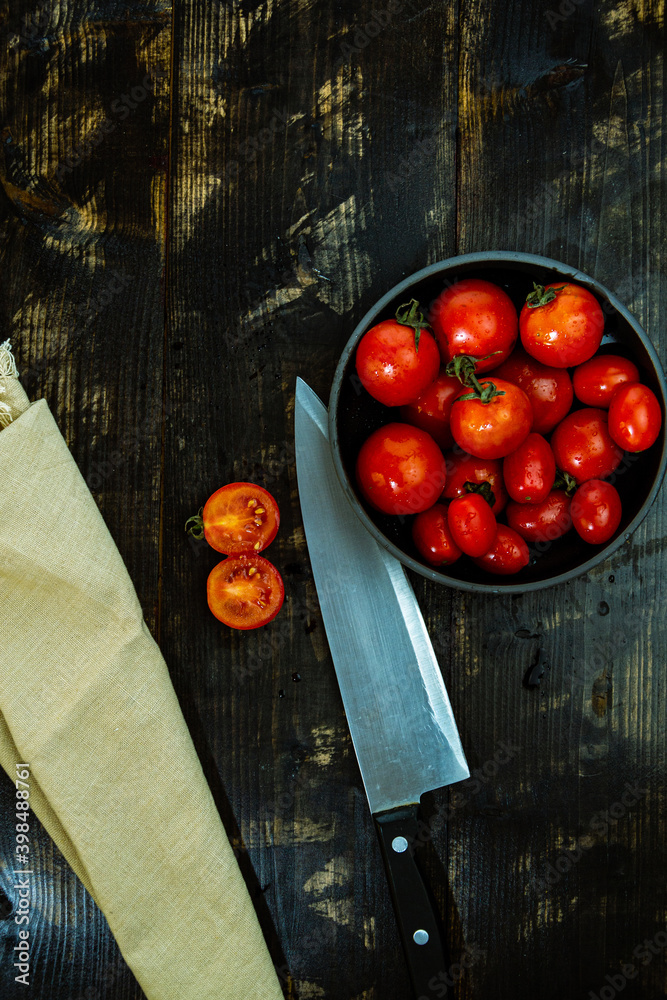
<point>583,446</point>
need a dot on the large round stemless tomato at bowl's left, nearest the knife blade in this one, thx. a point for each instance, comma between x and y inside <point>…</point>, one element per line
<point>400,469</point>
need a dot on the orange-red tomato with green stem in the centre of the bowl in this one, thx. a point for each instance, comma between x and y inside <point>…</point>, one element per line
<point>495,428</point>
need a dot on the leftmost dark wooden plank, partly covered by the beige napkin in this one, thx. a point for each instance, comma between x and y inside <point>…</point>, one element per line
<point>85,101</point>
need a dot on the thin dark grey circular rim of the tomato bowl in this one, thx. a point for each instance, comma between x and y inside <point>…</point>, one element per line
<point>491,258</point>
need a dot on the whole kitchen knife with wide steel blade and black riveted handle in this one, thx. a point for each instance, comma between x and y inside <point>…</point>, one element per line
<point>397,708</point>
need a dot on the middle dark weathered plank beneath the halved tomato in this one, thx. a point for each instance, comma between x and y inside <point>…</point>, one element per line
<point>313,168</point>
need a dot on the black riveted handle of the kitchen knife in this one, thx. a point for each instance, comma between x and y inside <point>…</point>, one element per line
<point>426,956</point>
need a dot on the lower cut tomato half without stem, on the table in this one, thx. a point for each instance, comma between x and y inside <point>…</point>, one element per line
<point>245,591</point>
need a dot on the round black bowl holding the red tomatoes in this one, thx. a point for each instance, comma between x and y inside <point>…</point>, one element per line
<point>353,415</point>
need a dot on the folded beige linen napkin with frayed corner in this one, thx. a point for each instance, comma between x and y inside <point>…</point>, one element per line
<point>86,701</point>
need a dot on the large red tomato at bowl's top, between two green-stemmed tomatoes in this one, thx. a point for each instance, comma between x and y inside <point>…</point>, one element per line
<point>477,318</point>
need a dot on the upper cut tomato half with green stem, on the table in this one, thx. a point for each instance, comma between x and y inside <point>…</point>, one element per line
<point>239,517</point>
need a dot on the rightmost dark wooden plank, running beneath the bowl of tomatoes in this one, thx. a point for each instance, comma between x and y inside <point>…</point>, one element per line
<point>570,133</point>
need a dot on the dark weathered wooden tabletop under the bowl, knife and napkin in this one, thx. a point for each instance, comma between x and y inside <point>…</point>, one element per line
<point>198,203</point>
